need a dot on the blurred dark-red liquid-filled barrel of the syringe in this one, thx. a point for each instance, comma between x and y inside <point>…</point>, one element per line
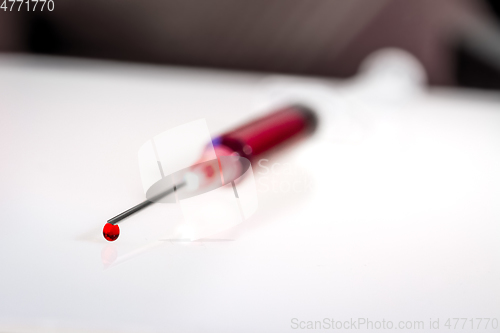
<point>270,131</point>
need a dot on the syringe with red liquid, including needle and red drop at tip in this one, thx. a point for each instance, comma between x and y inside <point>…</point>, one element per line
<point>234,151</point>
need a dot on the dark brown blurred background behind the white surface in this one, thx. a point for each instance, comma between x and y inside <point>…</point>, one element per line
<point>457,41</point>
